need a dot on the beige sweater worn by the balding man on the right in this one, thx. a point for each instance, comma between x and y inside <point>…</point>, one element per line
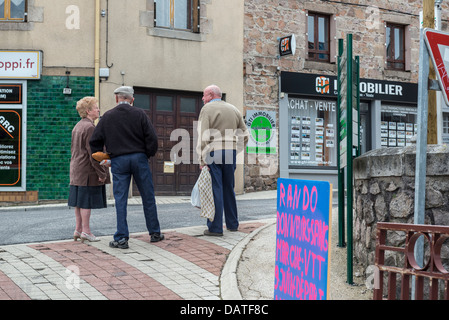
<point>220,126</point>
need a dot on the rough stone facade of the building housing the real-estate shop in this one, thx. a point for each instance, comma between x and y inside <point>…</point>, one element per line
<point>267,21</point>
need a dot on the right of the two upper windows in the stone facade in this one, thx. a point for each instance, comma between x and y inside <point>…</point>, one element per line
<point>395,41</point>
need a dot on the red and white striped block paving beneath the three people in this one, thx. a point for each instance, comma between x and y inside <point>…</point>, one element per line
<point>185,266</point>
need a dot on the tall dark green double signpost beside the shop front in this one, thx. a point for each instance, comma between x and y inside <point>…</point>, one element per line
<point>348,141</point>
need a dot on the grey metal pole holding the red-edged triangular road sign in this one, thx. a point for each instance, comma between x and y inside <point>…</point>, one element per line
<point>421,148</point>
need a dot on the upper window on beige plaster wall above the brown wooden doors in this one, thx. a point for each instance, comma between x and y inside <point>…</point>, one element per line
<point>177,14</point>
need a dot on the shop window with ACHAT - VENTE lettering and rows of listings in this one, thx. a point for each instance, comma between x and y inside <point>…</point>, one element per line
<point>312,133</point>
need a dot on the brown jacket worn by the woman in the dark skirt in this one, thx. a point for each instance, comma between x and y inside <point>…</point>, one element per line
<point>84,170</point>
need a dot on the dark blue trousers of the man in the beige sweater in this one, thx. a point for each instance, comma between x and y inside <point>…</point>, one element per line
<point>222,164</point>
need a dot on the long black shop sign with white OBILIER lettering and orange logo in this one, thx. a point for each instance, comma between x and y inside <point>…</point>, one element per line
<point>326,86</point>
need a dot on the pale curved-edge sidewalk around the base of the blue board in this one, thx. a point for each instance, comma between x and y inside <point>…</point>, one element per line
<point>256,262</point>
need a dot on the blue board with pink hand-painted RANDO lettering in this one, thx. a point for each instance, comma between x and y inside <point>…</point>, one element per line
<point>303,236</point>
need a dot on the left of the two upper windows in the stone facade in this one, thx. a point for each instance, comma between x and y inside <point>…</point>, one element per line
<point>318,35</point>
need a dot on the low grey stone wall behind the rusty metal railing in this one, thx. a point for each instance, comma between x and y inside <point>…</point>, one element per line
<point>384,191</point>
